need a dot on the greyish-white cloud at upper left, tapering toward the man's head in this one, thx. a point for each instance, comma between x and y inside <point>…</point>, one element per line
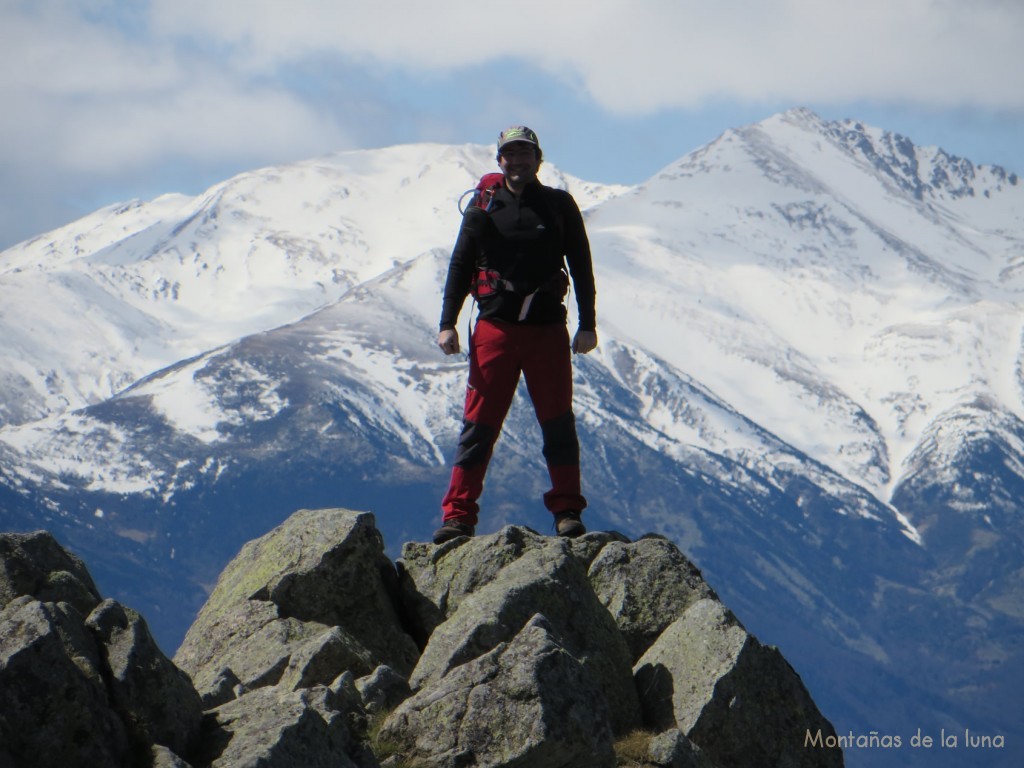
<point>96,102</point>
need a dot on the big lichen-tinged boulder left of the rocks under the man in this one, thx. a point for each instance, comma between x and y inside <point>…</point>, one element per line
<point>298,607</point>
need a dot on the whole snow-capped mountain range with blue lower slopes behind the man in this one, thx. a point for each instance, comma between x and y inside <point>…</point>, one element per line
<point>812,376</point>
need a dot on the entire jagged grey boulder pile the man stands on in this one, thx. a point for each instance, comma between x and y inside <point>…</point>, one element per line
<point>316,651</point>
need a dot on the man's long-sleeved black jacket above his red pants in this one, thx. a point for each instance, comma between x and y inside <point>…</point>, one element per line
<point>528,241</point>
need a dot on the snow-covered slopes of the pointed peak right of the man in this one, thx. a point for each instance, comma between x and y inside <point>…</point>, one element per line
<point>819,240</point>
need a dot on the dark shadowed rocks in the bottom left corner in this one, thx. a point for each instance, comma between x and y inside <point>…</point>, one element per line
<point>82,681</point>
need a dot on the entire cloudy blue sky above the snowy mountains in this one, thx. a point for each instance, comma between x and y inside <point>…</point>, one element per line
<point>103,102</point>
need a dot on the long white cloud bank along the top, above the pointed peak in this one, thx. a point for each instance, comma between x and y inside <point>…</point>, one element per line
<point>650,55</point>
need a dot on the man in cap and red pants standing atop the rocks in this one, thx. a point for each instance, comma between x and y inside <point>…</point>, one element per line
<point>516,242</point>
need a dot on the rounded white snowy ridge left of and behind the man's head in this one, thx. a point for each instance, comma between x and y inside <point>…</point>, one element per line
<point>165,281</point>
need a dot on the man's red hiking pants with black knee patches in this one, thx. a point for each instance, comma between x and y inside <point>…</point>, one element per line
<point>499,354</point>
